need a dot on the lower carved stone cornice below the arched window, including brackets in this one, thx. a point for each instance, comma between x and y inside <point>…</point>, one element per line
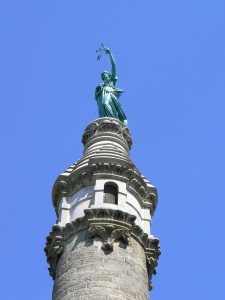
<point>107,224</point>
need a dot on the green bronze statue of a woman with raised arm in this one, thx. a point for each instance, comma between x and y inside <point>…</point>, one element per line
<point>107,94</point>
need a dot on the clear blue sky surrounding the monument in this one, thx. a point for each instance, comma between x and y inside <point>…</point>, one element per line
<point>171,62</point>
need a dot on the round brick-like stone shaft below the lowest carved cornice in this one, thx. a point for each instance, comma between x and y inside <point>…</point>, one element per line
<point>85,271</point>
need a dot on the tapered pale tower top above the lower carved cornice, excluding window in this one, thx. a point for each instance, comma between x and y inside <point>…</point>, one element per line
<point>106,159</point>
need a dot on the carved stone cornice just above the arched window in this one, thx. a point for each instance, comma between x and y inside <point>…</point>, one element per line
<point>136,184</point>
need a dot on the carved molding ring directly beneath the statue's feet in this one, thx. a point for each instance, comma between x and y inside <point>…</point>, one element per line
<point>107,125</point>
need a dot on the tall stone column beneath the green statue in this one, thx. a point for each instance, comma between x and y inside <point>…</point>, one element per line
<point>101,246</point>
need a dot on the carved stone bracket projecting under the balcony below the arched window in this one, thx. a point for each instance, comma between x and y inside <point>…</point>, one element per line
<point>109,234</point>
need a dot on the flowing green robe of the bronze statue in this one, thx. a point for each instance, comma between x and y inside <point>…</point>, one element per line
<point>107,95</point>
